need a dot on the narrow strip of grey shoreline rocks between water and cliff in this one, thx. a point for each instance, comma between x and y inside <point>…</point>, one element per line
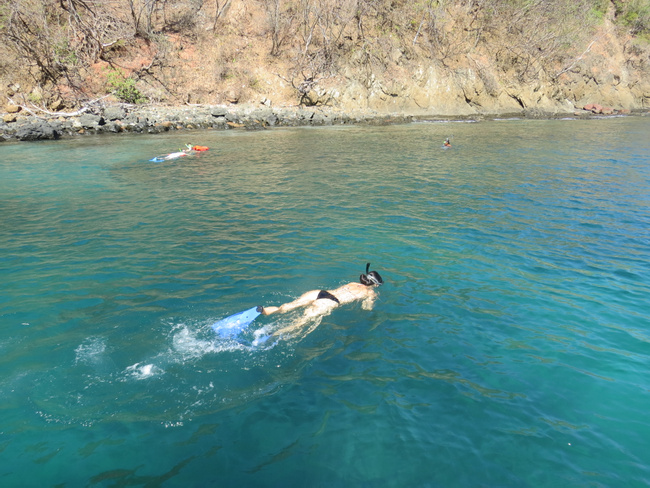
<point>23,124</point>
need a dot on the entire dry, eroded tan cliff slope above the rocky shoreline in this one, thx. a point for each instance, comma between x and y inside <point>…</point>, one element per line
<point>447,58</point>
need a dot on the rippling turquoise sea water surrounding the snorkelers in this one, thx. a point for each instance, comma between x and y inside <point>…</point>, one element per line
<point>509,345</point>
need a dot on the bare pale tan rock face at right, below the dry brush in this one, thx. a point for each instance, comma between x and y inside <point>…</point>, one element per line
<point>610,72</point>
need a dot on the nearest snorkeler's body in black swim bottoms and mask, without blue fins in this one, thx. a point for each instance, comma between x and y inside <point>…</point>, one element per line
<point>322,302</point>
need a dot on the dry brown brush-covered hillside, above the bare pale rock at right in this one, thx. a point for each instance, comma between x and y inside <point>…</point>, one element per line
<point>65,52</point>
